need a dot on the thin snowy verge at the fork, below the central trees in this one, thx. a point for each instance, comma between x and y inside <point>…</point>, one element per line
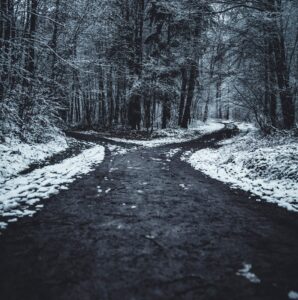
<point>172,136</point>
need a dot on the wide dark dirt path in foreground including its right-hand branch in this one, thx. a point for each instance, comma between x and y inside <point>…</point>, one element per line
<point>145,225</point>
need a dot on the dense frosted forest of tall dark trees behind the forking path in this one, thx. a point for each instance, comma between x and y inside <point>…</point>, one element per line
<point>146,64</point>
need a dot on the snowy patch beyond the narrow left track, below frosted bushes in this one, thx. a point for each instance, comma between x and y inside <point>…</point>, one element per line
<point>16,156</point>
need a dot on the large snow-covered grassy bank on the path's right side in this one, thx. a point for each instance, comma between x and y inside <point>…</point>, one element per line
<point>265,166</point>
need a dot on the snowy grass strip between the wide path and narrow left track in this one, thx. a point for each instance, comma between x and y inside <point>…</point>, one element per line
<point>20,195</point>
